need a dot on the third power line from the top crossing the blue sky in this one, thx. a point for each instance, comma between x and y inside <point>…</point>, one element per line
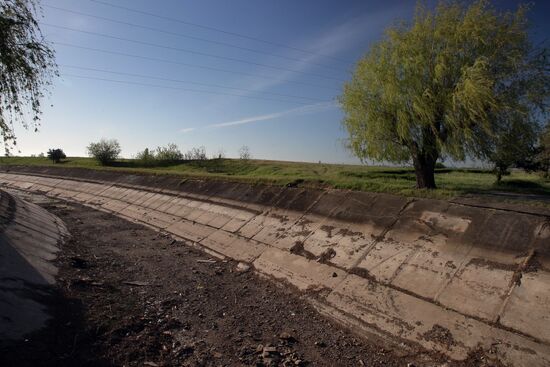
<point>188,51</point>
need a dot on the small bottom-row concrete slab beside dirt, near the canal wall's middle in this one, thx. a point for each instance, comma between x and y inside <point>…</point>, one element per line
<point>234,246</point>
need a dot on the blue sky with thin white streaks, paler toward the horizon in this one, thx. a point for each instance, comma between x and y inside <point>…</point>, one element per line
<point>213,73</point>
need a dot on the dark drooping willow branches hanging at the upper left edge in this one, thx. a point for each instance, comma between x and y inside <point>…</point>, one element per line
<point>26,67</point>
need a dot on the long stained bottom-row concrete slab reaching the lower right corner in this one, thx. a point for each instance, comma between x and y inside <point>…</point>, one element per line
<point>389,311</point>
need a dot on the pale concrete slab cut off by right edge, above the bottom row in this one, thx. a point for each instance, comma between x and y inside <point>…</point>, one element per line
<point>528,309</point>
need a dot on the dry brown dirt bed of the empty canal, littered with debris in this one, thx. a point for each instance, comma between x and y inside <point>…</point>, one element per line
<point>131,296</point>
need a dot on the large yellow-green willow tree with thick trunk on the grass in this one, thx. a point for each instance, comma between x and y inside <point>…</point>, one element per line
<point>445,84</point>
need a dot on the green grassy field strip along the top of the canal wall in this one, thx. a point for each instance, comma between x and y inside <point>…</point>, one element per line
<point>401,181</point>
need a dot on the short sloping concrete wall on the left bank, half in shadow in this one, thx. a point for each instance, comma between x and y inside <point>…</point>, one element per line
<point>29,239</point>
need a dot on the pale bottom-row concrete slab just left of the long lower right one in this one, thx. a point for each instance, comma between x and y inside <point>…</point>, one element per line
<point>297,270</point>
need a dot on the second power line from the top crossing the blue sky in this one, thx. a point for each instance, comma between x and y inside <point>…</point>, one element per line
<point>116,21</point>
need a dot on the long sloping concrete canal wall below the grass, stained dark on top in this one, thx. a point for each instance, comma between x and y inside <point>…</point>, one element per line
<point>394,265</point>
